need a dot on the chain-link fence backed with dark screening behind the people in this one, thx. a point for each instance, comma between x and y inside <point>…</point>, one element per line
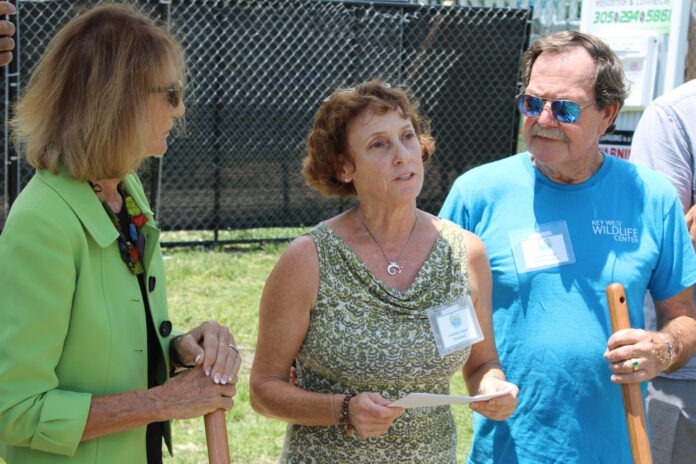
<point>259,70</point>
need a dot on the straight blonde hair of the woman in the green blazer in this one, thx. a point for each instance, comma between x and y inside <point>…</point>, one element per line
<point>85,106</point>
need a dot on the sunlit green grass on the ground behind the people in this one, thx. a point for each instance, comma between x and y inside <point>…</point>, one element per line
<point>226,284</point>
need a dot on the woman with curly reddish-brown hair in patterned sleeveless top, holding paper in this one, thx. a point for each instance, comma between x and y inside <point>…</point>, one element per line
<point>357,304</point>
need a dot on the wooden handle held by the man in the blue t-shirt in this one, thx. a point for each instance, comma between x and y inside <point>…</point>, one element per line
<point>633,398</point>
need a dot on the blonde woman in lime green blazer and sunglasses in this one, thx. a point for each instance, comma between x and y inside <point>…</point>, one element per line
<point>86,345</point>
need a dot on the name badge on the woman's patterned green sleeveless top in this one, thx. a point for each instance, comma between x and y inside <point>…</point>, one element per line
<point>454,325</point>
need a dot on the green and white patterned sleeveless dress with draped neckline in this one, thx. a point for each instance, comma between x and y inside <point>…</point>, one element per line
<point>366,336</point>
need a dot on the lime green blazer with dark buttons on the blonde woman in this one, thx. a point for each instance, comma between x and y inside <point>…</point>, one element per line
<point>72,323</point>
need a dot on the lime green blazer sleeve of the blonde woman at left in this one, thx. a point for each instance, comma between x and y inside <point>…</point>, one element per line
<point>37,281</point>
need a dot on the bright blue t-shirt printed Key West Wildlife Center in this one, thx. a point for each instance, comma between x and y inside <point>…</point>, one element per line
<point>553,249</point>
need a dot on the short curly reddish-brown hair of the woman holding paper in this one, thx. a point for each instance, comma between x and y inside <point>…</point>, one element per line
<point>327,141</point>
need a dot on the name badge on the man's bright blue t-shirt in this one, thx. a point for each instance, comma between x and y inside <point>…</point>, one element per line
<point>547,245</point>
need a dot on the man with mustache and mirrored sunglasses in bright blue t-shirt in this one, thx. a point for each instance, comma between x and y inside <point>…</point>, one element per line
<point>560,223</point>
